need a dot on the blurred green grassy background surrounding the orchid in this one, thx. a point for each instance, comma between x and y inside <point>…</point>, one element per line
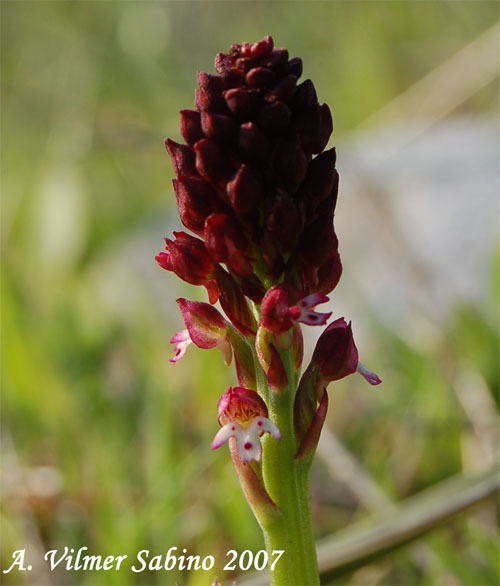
<point>104,443</point>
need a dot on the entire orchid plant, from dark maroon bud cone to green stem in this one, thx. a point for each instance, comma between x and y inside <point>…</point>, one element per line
<point>258,190</point>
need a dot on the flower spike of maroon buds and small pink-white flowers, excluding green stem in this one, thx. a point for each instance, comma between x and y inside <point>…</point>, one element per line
<point>258,191</point>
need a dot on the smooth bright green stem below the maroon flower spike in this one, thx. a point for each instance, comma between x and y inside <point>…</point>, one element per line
<point>287,483</point>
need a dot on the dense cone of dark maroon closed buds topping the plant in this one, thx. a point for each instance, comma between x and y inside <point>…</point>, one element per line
<point>253,179</point>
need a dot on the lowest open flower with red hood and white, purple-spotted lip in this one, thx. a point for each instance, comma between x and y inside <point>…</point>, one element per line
<point>243,416</point>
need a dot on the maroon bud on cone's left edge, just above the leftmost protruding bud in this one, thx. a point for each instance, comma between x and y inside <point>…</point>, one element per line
<point>196,200</point>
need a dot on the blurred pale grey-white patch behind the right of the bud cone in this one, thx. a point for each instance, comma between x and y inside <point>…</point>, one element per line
<point>418,222</point>
